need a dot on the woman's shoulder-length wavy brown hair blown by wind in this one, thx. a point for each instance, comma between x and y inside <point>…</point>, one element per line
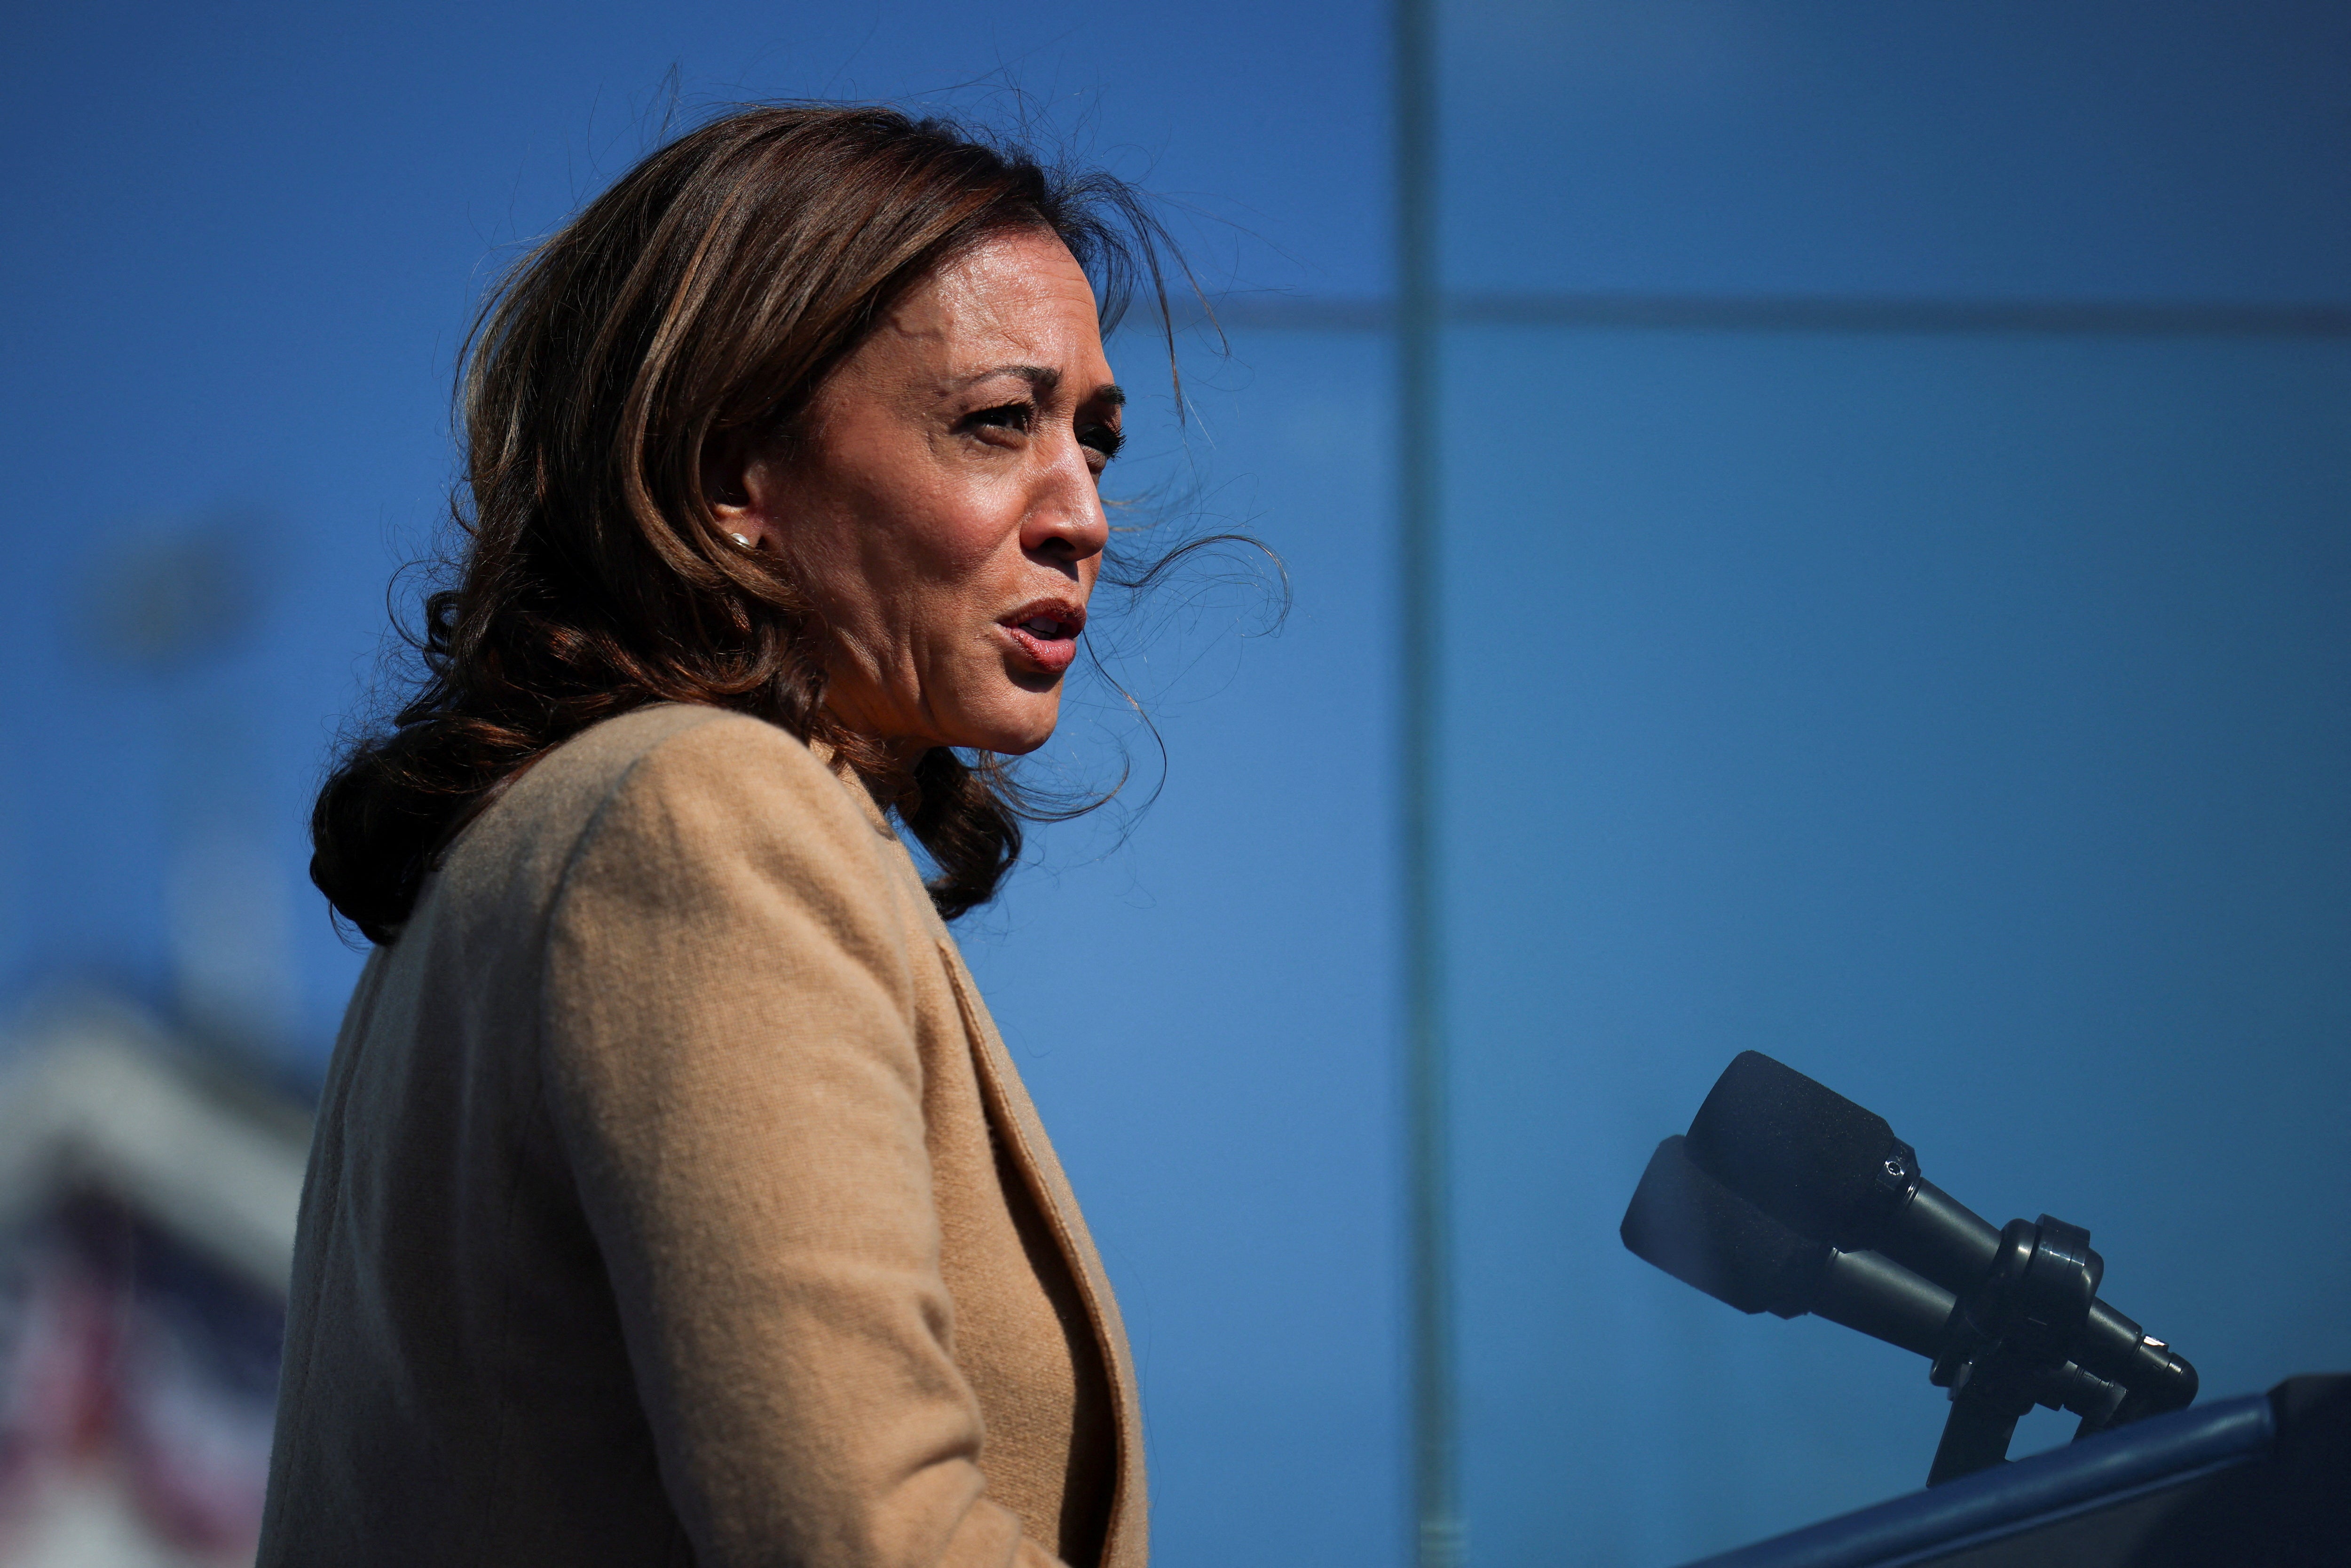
<point>709,290</point>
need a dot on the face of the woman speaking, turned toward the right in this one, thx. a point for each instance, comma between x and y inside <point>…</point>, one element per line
<point>944,504</point>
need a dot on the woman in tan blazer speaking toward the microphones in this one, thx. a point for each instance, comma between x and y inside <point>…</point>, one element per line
<point>674,1198</point>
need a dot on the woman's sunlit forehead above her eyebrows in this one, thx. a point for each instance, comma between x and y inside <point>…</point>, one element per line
<point>1017,295</point>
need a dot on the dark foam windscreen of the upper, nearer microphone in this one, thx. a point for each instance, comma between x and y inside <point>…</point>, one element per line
<point>1795,1148</point>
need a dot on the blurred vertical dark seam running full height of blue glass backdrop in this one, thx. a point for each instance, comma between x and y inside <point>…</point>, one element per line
<point>1419,605</point>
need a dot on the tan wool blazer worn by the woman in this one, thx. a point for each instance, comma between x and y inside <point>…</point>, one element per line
<point>676,1202</point>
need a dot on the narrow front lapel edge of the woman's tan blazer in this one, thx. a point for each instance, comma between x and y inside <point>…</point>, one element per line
<point>1017,1118</point>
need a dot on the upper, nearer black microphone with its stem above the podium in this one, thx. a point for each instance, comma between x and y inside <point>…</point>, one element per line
<point>1837,1174</point>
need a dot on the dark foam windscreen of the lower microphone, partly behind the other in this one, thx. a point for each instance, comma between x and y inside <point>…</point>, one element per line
<point>1710,1238</point>
